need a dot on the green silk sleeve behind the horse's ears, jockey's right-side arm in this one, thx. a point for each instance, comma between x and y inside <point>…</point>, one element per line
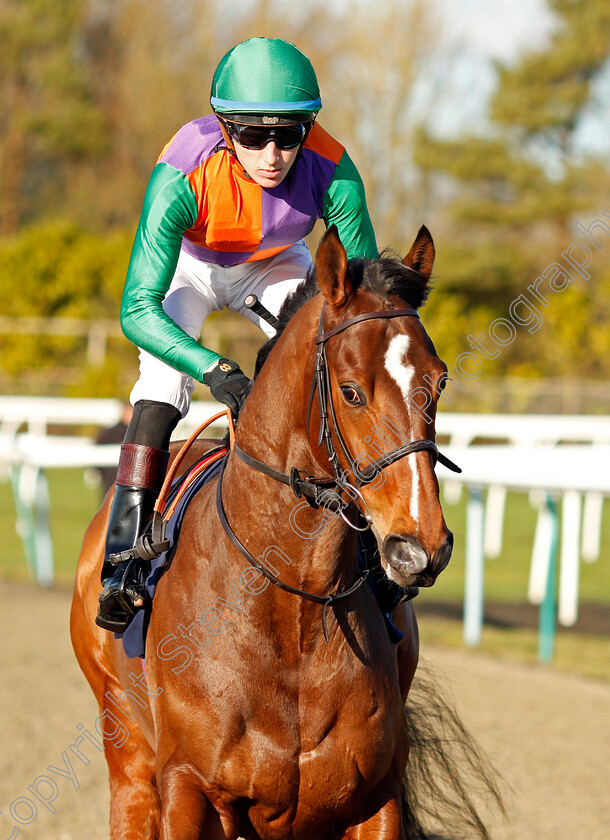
<point>345,206</point>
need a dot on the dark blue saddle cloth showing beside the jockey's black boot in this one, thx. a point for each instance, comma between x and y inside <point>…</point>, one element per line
<point>134,637</point>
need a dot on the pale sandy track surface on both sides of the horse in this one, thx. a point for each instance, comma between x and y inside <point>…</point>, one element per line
<point>548,734</point>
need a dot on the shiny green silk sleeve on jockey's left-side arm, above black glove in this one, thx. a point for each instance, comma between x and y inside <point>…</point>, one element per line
<point>170,208</point>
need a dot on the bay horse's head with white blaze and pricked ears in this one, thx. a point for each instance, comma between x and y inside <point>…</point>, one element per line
<point>384,380</point>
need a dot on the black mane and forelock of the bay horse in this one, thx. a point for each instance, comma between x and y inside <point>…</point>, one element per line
<point>387,275</point>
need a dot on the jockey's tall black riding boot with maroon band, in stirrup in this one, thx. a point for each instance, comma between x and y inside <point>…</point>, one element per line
<point>140,475</point>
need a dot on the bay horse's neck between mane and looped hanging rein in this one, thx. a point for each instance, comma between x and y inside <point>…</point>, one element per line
<point>309,544</point>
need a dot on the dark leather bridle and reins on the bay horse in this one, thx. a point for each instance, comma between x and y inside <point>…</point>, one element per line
<point>312,488</point>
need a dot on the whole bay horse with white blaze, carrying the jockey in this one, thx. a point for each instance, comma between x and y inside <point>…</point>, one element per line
<point>265,713</point>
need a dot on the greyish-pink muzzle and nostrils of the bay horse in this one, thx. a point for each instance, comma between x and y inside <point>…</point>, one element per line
<point>410,562</point>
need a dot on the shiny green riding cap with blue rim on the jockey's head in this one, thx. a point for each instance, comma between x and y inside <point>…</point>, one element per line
<point>266,76</point>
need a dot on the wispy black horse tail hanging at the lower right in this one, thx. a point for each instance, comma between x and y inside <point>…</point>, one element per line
<point>447,775</point>
